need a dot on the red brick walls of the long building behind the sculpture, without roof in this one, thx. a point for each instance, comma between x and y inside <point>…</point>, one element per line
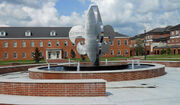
<point>7,51</point>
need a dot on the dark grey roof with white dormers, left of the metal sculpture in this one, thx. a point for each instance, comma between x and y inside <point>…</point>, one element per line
<point>19,32</point>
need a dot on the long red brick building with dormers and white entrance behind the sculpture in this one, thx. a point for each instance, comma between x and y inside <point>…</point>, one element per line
<point>19,43</point>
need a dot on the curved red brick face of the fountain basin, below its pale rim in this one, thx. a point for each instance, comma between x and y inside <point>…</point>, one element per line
<point>108,76</point>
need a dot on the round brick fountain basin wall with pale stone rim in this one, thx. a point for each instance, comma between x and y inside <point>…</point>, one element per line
<point>154,70</point>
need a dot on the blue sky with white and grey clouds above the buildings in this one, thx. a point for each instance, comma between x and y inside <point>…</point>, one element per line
<point>126,16</point>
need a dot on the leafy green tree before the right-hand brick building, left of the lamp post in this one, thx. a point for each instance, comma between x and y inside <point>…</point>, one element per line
<point>139,48</point>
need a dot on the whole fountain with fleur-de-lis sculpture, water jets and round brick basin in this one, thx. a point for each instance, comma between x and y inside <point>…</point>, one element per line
<point>93,32</point>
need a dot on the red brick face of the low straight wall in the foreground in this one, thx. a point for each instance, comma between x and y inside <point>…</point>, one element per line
<point>53,89</point>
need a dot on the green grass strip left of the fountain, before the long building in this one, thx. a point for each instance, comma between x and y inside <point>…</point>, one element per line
<point>19,61</point>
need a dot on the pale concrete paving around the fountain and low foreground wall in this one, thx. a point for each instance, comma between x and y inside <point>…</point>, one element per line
<point>164,90</point>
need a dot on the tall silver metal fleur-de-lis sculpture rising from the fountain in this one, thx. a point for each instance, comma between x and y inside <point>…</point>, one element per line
<point>93,33</point>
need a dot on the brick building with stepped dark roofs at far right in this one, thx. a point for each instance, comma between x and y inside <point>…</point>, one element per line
<point>159,39</point>
